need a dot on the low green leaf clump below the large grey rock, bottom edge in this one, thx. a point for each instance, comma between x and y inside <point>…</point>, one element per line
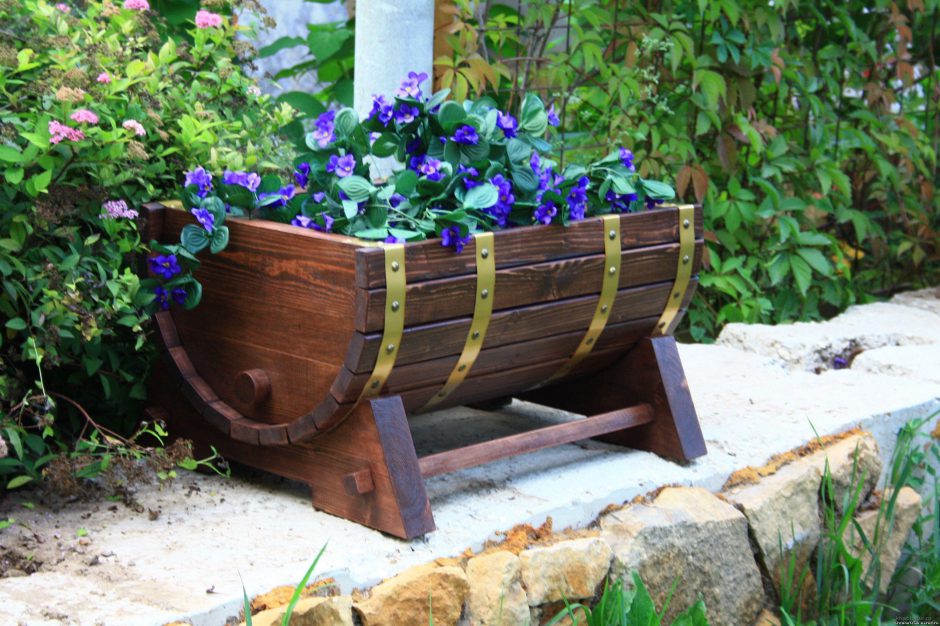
<point>620,606</point>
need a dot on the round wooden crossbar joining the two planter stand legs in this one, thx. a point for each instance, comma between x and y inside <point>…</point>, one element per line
<point>547,437</point>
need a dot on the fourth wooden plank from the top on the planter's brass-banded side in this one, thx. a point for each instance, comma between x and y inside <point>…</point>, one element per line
<point>434,372</point>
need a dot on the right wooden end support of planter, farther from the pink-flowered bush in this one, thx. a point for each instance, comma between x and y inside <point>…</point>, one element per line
<point>650,373</point>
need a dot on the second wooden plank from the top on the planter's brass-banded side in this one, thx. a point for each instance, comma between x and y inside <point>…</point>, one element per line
<point>454,296</point>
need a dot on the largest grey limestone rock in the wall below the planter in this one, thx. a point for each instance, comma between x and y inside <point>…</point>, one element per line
<point>689,534</point>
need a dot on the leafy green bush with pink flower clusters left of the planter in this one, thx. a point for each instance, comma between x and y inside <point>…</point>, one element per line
<point>99,116</point>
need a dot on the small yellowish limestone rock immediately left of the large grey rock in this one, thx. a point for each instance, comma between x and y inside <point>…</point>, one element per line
<point>570,569</point>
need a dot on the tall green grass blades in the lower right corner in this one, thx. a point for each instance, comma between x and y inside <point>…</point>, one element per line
<point>847,590</point>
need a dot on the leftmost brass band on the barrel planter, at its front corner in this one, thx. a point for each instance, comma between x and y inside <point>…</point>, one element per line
<point>394,320</point>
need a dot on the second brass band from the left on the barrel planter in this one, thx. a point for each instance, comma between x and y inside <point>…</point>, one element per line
<point>482,312</point>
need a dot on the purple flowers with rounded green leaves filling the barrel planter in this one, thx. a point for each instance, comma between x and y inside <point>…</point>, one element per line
<point>462,168</point>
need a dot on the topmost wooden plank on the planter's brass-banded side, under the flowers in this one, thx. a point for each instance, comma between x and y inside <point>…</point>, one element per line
<point>428,260</point>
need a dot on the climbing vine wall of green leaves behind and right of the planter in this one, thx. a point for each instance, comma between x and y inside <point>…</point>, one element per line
<point>809,130</point>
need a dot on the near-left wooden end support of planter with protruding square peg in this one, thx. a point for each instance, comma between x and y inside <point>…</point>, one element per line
<point>364,470</point>
